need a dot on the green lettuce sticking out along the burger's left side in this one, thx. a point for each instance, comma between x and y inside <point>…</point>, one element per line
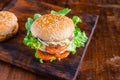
<point>29,40</point>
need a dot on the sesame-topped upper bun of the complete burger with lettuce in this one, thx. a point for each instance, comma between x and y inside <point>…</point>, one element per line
<point>52,27</point>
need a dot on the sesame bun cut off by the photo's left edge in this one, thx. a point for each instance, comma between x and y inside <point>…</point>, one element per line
<point>8,25</point>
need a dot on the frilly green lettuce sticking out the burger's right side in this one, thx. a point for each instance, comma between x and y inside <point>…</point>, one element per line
<point>79,37</point>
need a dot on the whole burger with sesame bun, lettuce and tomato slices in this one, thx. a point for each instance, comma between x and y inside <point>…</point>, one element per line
<point>54,36</point>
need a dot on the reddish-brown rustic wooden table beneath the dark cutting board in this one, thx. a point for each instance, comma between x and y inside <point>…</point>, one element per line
<point>102,60</point>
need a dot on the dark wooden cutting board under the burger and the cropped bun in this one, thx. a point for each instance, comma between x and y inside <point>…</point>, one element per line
<point>15,52</point>
